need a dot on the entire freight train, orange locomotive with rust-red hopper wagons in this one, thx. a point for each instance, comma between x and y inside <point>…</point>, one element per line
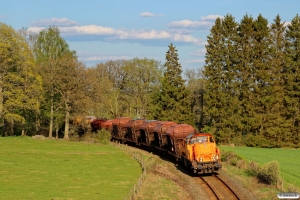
<point>196,151</point>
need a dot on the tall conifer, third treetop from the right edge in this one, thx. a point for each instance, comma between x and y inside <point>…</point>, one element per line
<point>262,88</point>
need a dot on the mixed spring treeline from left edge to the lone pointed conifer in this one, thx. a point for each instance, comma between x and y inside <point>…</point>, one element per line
<point>43,86</point>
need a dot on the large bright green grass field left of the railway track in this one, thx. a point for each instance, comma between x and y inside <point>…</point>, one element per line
<point>57,169</point>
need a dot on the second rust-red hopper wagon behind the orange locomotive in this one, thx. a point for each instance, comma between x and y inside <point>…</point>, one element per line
<point>160,137</point>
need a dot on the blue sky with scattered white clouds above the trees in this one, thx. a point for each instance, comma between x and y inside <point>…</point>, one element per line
<point>102,30</point>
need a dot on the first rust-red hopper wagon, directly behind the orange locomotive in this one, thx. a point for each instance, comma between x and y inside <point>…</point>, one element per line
<point>175,136</point>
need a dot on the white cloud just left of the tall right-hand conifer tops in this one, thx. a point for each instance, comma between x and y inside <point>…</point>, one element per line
<point>205,23</point>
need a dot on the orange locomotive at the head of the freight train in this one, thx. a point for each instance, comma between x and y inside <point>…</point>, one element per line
<point>201,153</point>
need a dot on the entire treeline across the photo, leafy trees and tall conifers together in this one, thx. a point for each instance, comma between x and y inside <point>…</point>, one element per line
<point>248,92</point>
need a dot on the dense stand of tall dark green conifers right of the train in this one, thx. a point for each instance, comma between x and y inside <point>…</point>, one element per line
<point>253,81</point>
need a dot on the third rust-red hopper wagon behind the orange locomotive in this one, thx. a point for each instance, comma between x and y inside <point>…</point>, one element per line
<point>147,132</point>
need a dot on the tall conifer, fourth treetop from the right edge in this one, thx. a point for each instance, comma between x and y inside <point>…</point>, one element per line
<point>246,74</point>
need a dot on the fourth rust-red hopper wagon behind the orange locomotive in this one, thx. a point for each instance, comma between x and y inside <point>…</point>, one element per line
<point>133,132</point>
